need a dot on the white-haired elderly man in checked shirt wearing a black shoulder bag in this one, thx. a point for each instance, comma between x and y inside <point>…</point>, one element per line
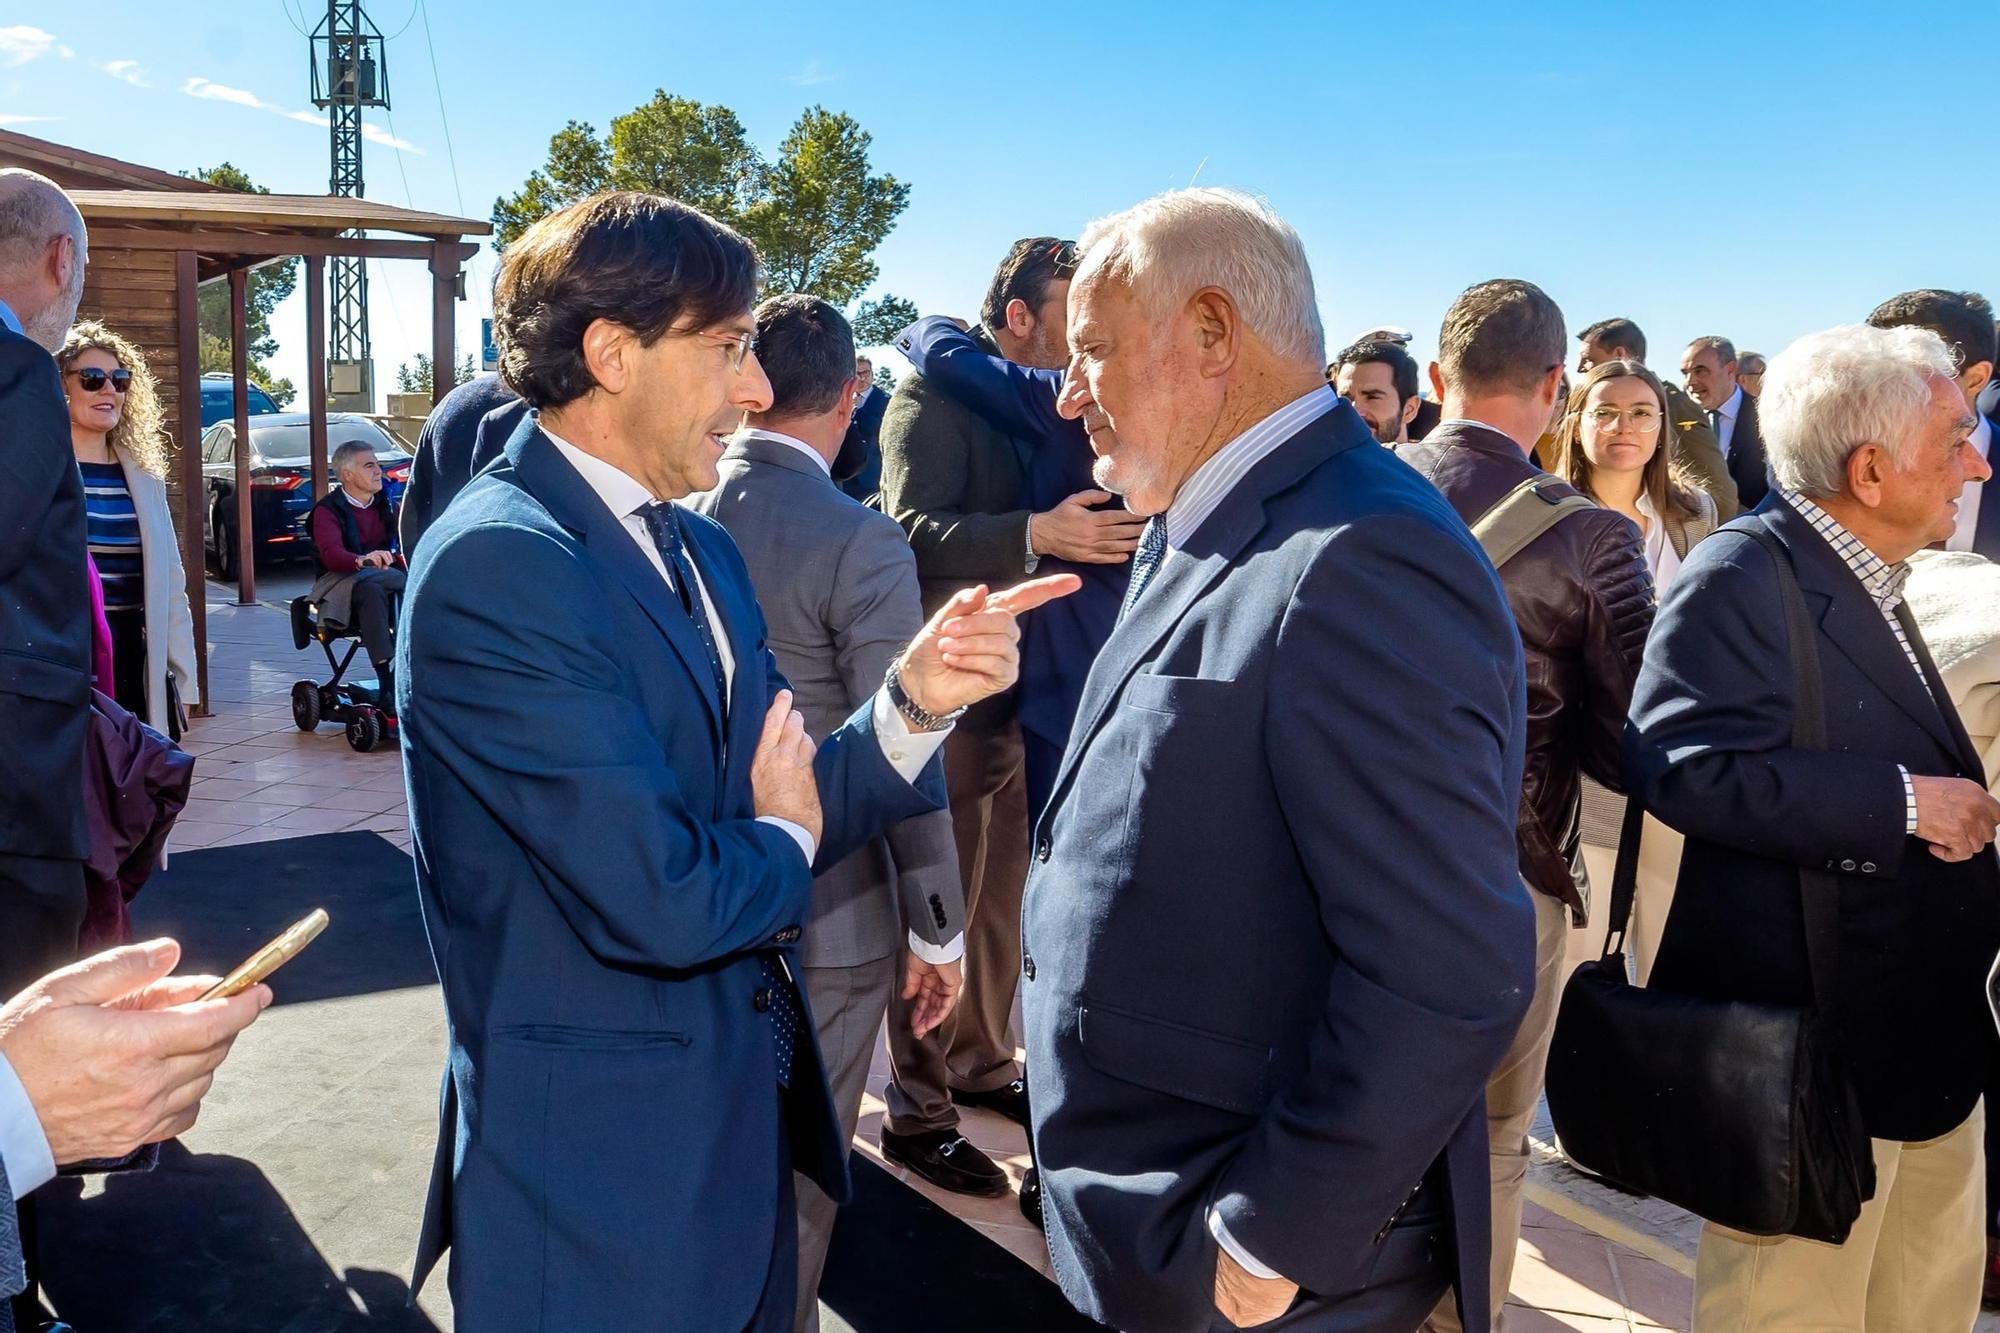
<point>1869,447</point>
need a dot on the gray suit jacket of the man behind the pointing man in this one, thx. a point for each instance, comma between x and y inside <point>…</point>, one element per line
<point>839,593</point>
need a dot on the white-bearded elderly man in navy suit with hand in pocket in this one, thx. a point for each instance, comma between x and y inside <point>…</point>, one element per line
<point>1275,938</point>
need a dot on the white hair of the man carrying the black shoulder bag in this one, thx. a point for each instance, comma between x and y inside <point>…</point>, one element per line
<point>1839,389</point>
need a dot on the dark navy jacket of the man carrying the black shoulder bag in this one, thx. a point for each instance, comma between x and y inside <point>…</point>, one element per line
<point>1711,754</point>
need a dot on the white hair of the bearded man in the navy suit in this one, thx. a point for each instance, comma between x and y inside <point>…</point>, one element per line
<point>1177,243</point>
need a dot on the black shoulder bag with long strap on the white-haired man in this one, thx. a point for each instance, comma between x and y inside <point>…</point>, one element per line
<point>1739,1114</point>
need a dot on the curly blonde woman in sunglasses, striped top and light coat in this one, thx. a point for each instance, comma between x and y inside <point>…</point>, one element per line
<point>123,453</point>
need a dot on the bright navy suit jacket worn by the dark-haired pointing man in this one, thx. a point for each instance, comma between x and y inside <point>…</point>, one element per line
<point>597,896</point>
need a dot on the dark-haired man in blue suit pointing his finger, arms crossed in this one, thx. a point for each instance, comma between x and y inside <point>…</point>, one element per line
<point>617,812</point>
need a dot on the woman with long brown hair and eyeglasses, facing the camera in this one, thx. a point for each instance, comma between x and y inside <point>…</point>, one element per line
<point>1613,445</point>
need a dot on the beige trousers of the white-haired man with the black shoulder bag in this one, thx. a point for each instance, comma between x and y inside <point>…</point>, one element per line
<point>1911,1266</point>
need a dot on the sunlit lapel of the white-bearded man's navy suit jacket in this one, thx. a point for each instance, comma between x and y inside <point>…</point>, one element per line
<point>1189,573</point>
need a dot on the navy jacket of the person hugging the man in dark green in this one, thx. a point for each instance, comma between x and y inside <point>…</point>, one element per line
<point>1057,641</point>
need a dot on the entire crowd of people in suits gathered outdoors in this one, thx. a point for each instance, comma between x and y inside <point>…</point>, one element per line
<point>1243,734</point>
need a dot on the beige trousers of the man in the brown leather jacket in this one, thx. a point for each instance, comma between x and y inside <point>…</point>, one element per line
<point>1511,1102</point>
